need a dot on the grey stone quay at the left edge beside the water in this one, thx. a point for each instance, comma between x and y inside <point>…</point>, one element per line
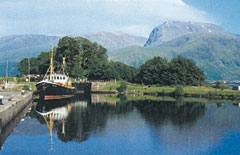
<point>12,104</point>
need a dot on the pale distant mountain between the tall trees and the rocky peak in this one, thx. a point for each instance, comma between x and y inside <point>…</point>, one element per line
<point>114,41</point>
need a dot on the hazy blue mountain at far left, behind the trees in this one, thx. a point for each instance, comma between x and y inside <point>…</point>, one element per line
<point>17,47</point>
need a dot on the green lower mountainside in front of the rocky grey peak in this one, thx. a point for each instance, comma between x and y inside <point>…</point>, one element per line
<point>217,55</point>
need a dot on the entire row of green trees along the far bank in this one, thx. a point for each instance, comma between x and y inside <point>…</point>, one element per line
<point>85,59</point>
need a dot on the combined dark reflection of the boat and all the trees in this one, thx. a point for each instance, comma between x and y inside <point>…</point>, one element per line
<point>77,120</point>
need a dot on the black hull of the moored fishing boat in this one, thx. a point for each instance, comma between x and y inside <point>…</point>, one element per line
<point>47,91</point>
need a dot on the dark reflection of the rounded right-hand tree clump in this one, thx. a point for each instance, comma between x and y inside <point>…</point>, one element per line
<point>179,113</point>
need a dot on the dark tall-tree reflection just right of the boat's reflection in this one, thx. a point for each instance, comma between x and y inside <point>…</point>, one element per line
<point>82,121</point>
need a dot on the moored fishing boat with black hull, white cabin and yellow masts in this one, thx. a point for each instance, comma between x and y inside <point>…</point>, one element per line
<point>55,85</point>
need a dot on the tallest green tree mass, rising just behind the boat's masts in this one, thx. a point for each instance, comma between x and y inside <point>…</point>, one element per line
<point>79,53</point>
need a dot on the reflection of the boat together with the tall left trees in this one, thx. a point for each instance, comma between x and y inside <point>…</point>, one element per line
<point>77,119</point>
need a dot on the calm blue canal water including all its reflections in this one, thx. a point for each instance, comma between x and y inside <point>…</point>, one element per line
<point>118,126</point>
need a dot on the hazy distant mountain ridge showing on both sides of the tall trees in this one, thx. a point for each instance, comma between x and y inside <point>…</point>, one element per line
<point>17,47</point>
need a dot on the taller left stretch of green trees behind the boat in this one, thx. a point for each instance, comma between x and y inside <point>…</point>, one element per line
<point>84,59</point>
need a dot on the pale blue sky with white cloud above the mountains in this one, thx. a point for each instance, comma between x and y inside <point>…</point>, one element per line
<point>135,17</point>
